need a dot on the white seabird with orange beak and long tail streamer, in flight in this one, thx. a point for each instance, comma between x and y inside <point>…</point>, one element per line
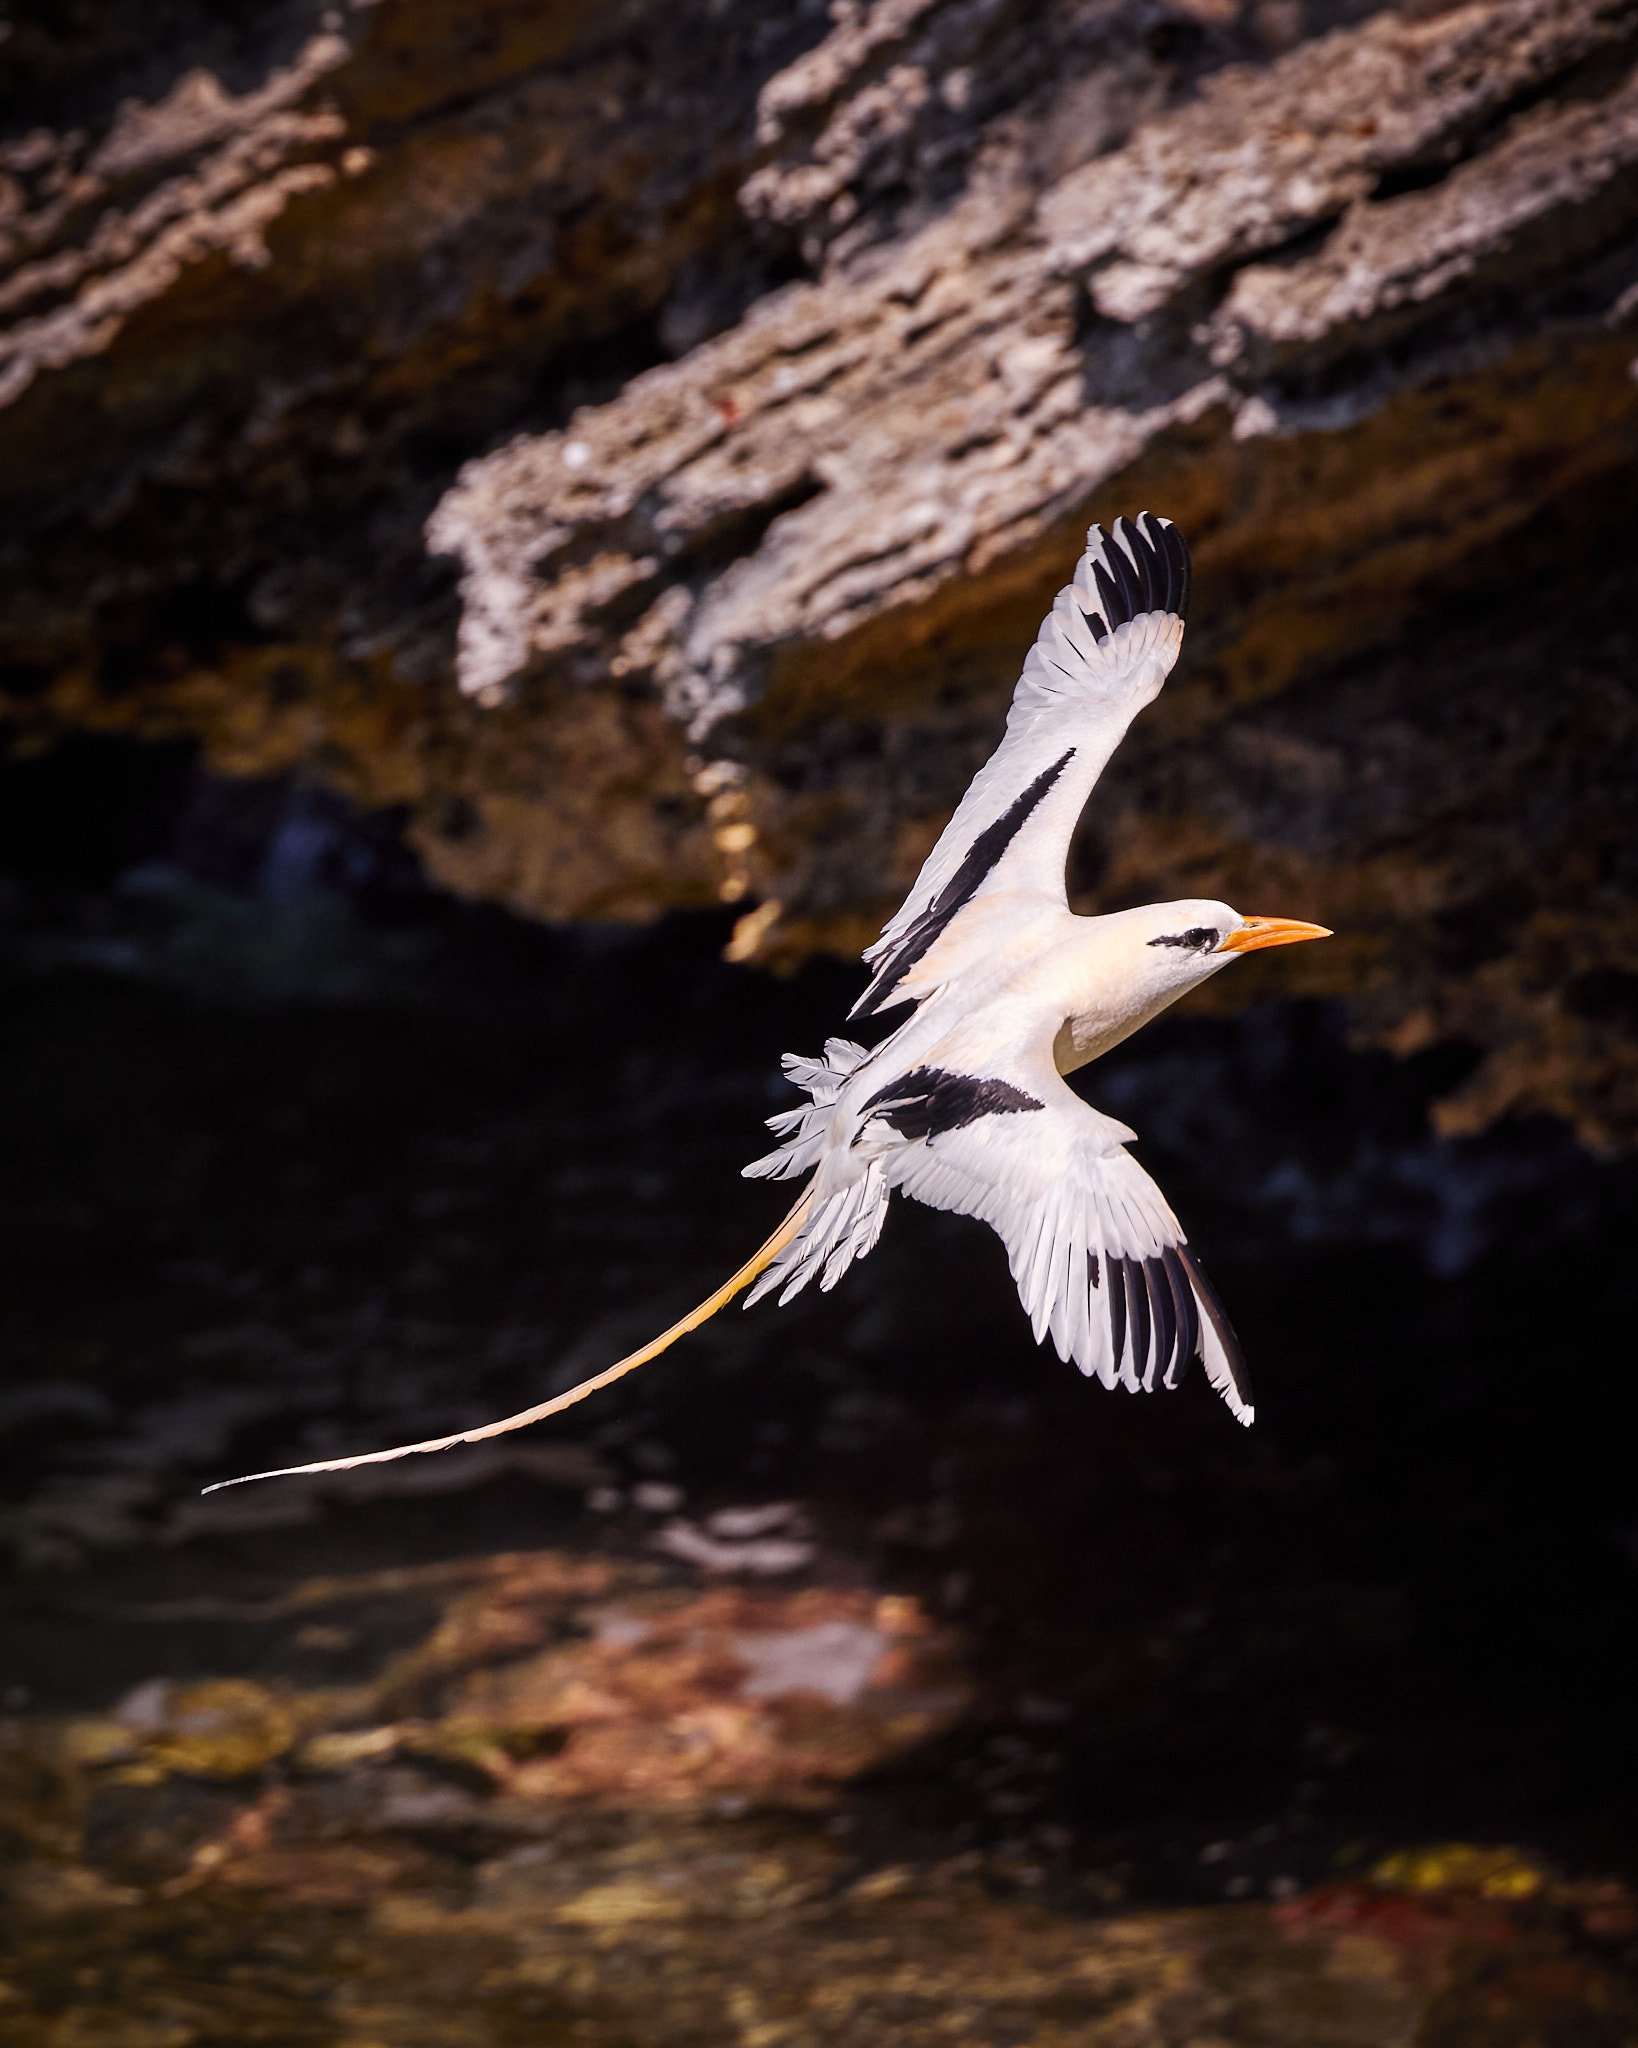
<point>965,1105</point>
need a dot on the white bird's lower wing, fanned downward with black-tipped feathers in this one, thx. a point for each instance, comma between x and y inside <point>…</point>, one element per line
<point>1098,1258</point>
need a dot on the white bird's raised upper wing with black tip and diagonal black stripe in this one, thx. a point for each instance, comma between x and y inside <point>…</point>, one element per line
<point>1103,654</point>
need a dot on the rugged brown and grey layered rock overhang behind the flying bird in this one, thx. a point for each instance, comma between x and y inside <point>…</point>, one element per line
<point>755,378</point>
